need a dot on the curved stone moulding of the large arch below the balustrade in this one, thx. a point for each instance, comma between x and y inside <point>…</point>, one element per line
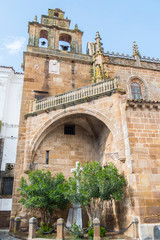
<point>57,119</point>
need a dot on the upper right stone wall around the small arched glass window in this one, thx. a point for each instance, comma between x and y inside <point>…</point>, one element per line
<point>127,72</point>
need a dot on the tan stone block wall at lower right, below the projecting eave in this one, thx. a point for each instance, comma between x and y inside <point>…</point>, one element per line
<point>144,137</point>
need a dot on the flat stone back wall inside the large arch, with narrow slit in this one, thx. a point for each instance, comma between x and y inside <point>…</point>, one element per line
<point>65,150</point>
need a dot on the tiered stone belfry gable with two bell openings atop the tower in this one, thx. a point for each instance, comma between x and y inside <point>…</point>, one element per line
<point>55,28</point>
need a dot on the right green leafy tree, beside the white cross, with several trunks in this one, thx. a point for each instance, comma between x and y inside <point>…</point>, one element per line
<point>93,185</point>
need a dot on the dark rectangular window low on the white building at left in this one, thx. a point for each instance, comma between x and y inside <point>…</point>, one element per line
<point>7,185</point>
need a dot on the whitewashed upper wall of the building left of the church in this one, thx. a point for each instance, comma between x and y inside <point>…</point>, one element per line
<point>11,85</point>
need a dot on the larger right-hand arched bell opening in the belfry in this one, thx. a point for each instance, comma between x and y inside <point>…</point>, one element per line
<point>65,42</point>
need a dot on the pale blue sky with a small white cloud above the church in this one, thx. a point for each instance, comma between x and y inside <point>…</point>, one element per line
<point>120,22</point>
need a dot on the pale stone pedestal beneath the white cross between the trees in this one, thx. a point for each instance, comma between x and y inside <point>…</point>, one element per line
<point>75,216</point>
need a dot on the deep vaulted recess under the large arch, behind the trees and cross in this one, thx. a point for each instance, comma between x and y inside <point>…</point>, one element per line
<point>60,151</point>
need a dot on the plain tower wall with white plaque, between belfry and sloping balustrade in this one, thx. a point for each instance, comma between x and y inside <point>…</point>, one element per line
<point>71,74</point>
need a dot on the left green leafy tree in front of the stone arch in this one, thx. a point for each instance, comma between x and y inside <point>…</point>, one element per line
<point>44,193</point>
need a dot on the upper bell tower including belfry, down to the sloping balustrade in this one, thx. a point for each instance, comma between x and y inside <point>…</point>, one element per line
<point>53,62</point>
